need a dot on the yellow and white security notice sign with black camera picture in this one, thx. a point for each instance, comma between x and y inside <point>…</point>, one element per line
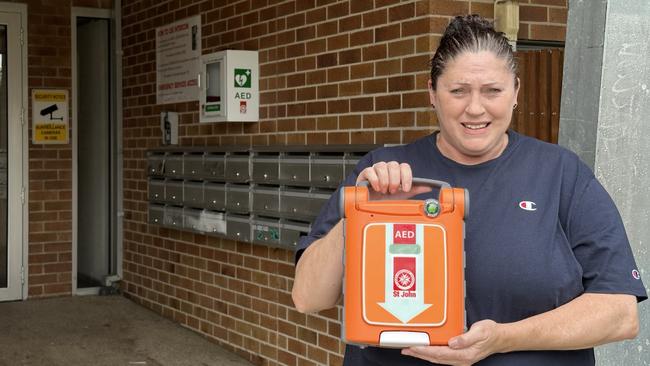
<point>50,116</point>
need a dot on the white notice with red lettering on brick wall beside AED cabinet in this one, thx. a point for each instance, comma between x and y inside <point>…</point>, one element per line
<point>178,52</point>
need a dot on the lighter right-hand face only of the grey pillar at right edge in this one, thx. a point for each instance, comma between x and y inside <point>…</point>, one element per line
<point>622,148</point>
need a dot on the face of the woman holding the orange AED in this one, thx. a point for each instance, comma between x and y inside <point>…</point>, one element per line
<point>474,99</point>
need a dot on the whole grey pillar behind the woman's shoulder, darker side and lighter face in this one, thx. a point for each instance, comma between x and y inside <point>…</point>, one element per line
<point>605,109</point>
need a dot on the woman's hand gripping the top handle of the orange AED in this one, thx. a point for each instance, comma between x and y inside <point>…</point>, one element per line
<point>391,178</point>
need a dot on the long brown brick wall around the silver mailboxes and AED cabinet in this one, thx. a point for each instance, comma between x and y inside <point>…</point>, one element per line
<point>332,72</point>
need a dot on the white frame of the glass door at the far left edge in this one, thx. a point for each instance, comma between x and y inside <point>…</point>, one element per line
<point>20,181</point>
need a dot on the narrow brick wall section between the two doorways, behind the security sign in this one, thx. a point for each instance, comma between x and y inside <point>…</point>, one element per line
<point>50,166</point>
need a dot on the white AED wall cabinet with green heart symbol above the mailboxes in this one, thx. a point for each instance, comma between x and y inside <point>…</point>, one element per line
<point>229,87</point>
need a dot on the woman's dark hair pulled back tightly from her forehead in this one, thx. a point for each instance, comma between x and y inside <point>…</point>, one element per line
<point>470,33</point>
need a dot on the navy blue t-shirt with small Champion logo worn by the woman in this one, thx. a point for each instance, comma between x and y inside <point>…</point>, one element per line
<point>541,231</point>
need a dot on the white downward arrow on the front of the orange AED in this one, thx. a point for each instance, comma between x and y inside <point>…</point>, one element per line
<point>407,308</point>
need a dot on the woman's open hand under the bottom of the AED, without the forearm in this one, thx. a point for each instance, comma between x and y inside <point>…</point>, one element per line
<point>482,340</point>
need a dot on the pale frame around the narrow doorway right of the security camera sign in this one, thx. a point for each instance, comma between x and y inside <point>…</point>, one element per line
<point>116,146</point>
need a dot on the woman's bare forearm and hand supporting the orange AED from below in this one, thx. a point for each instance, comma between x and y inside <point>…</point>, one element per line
<point>587,321</point>
